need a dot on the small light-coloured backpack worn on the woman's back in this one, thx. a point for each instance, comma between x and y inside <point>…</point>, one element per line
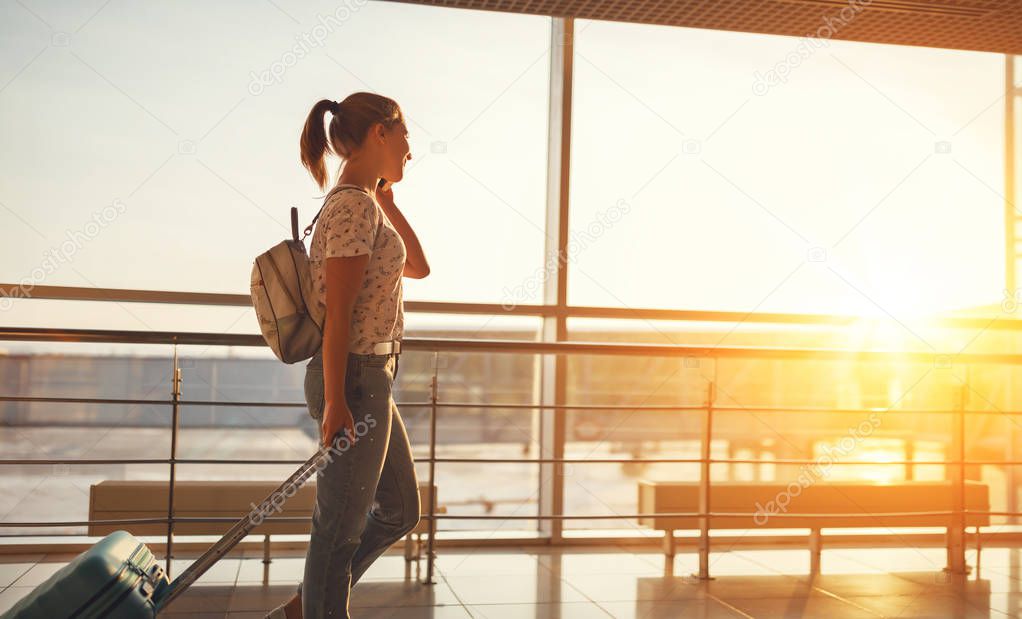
<point>282,283</point>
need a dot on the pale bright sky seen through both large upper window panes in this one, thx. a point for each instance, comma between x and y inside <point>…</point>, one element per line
<point>155,147</point>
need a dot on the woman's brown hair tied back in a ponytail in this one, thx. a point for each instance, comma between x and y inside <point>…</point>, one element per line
<point>349,126</point>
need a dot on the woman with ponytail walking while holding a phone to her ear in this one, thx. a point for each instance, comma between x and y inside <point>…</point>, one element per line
<point>367,496</point>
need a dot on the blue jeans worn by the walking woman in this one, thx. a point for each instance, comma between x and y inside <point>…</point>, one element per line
<point>367,498</point>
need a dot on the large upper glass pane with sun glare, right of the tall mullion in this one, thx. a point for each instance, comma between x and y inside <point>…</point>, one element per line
<point>868,181</point>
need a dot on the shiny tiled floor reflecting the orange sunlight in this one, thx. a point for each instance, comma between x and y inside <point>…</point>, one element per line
<point>609,583</point>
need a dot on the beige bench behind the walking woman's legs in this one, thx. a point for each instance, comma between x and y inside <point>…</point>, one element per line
<point>120,500</point>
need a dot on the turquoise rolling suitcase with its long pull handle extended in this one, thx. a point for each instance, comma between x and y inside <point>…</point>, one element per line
<point>120,579</point>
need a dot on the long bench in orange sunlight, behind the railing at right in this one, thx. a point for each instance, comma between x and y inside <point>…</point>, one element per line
<point>765,505</point>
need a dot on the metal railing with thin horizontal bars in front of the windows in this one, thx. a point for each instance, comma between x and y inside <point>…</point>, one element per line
<point>956,465</point>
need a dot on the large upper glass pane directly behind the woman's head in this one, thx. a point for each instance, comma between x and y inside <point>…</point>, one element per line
<point>142,154</point>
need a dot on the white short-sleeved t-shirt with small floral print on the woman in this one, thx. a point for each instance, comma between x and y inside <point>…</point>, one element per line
<point>353,224</point>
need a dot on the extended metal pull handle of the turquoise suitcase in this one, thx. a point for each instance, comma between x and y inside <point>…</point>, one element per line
<point>242,529</point>
